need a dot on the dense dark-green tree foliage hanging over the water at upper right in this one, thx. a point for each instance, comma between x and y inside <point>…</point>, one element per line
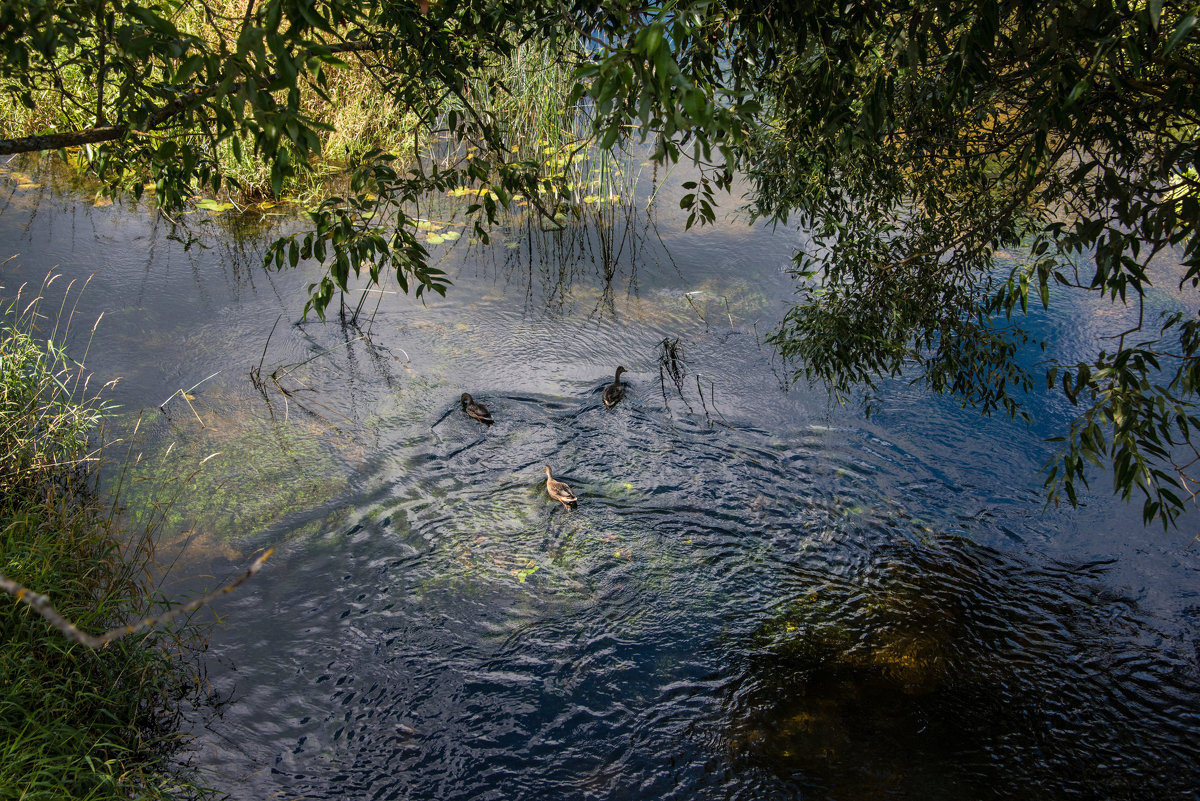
<point>916,142</point>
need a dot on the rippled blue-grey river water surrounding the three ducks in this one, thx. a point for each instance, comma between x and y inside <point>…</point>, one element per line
<point>759,597</point>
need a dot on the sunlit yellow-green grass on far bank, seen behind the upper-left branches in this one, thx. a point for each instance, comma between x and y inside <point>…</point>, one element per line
<point>351,113</point>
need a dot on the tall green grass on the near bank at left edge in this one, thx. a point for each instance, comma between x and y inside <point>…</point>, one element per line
<point>75,722</point>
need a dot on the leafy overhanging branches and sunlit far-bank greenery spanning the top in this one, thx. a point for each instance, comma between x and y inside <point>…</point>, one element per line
<point>915,142</point>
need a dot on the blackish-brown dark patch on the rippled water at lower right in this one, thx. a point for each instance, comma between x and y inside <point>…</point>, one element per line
<point>953,671</point>
